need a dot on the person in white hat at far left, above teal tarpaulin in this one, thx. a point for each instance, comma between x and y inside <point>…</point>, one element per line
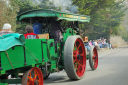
<point>6,29</point>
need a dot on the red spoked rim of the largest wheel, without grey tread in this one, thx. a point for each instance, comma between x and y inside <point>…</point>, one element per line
<point>79,57</point>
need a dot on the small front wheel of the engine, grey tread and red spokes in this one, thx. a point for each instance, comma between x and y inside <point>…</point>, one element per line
<point>93,58</point>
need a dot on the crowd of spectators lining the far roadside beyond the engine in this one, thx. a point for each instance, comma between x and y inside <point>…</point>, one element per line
<point>99,44</point>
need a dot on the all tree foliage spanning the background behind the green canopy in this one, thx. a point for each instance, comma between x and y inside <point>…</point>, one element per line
<point>106,15</point>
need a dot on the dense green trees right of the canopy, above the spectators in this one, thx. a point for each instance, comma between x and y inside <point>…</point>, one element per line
<point>106,16</point>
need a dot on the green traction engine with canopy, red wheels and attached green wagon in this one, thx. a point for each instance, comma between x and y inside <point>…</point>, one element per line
<point>32,62</point>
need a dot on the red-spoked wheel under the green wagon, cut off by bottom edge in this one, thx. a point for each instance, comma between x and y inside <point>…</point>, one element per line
<point>32,77</point>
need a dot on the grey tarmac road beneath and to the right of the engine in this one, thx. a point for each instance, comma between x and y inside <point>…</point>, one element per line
<point>112,70</point>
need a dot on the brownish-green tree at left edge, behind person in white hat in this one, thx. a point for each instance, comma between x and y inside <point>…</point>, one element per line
<point>8,13</point>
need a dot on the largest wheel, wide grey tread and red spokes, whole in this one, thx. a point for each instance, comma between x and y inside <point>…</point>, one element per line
<point>74,57</point>
